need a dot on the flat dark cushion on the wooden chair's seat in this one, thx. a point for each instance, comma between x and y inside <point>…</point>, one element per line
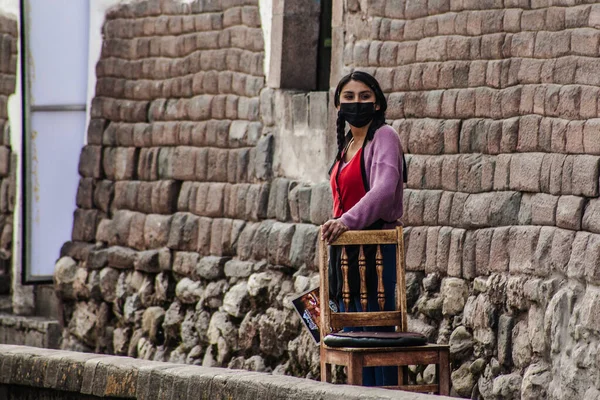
<point>374,339</point>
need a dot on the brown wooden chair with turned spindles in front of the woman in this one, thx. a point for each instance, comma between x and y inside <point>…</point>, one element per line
<point>355,358</point>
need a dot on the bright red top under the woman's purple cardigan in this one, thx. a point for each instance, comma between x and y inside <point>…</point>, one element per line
<point>347,185</point>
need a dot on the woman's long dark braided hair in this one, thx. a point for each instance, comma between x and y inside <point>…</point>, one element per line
<point>378,120</point>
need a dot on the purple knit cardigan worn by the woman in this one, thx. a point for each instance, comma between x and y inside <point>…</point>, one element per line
<point>383,165</point>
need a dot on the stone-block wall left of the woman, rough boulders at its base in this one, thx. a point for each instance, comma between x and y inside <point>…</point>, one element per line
<point>185,248</point>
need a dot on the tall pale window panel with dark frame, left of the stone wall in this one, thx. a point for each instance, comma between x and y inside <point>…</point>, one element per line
<point>54,58</point>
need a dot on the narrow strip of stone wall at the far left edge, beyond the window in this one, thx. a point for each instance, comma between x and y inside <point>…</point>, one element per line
<point>8,69</point>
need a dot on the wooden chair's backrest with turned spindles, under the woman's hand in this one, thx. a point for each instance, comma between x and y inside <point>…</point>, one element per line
<point>338,320</point>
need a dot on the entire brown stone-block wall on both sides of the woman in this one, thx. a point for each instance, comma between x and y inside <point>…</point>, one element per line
<point>187,248</point>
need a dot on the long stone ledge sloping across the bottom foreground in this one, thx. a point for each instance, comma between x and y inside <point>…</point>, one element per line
<point>129,378</point>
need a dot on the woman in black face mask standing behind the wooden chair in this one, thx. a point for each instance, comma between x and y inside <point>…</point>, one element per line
<point>367,186</point>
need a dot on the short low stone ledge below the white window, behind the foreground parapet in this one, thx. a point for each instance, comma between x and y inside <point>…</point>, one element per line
<point>30,331</point>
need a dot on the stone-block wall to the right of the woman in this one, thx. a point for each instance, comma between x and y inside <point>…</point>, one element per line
<point>496,103</point>
